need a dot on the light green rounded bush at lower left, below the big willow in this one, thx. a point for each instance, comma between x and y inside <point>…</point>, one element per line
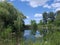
<point>6,33</point>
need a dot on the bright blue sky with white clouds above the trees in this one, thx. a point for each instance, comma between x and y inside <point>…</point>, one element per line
<point>33,9</point>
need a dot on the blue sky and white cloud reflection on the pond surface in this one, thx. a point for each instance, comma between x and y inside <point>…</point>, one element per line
<point>29,36</point>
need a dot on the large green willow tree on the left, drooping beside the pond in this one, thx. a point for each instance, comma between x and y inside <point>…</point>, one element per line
<point>10,16</point>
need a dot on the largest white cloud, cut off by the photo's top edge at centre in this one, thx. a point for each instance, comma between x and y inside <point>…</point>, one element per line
<point>36,3</point>
